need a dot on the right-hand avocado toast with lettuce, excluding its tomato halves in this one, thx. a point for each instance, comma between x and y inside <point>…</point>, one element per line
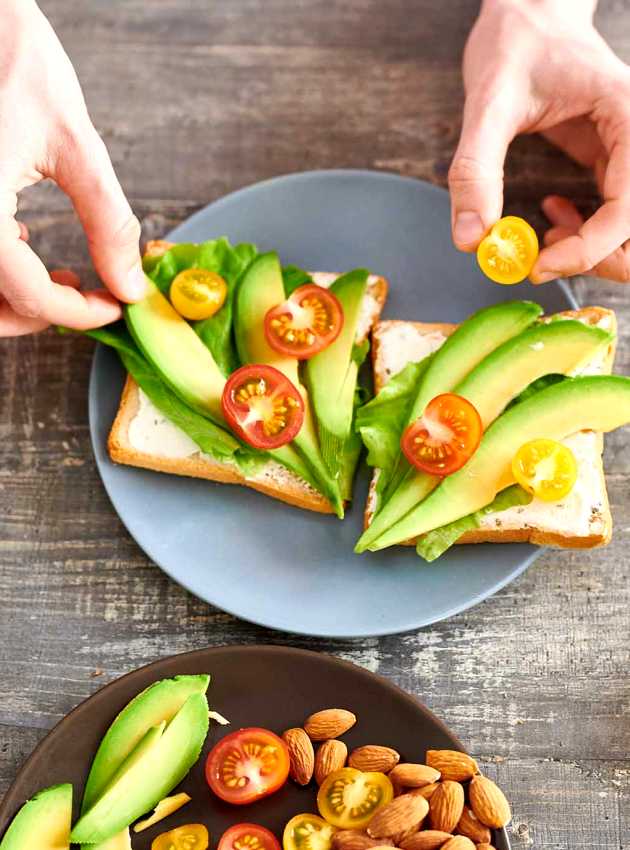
<point>499,370</point>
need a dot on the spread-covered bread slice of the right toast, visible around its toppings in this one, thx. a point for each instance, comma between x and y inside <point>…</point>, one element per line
<point>580,521</point>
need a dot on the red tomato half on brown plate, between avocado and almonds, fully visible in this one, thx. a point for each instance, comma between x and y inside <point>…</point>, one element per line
<point>246,765</point>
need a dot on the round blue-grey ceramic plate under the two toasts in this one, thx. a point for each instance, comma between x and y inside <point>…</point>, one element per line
<point>251,555</point>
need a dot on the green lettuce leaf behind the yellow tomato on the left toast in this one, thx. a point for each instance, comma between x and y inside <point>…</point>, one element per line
<point>216,255</point>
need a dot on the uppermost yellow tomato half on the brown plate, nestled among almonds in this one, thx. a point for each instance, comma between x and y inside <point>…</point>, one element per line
<point>348,798</point>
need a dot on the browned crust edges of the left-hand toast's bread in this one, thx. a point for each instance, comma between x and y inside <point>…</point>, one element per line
<point>290,489</point>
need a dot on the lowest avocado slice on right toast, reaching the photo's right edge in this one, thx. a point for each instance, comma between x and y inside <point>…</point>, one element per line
<point>597,403</point>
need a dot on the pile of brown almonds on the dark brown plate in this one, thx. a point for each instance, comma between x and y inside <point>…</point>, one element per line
<point>444,803</point>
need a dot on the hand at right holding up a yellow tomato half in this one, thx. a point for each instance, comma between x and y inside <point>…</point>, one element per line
<point>540,66</point>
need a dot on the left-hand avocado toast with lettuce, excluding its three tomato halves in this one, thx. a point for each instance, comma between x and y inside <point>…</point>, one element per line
<point>155,431</point>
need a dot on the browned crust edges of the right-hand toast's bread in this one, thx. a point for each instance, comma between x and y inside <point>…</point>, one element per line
<point>602,531</point>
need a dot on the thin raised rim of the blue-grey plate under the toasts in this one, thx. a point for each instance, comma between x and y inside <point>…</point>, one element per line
<point>190,585</point>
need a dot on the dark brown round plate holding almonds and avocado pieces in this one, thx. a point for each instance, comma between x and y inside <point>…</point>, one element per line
<point>270,686</point>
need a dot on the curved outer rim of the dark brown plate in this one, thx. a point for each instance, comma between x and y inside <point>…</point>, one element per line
<point>7,806</point>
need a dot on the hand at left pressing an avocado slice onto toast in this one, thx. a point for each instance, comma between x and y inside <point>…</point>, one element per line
<point>45,131</point>
